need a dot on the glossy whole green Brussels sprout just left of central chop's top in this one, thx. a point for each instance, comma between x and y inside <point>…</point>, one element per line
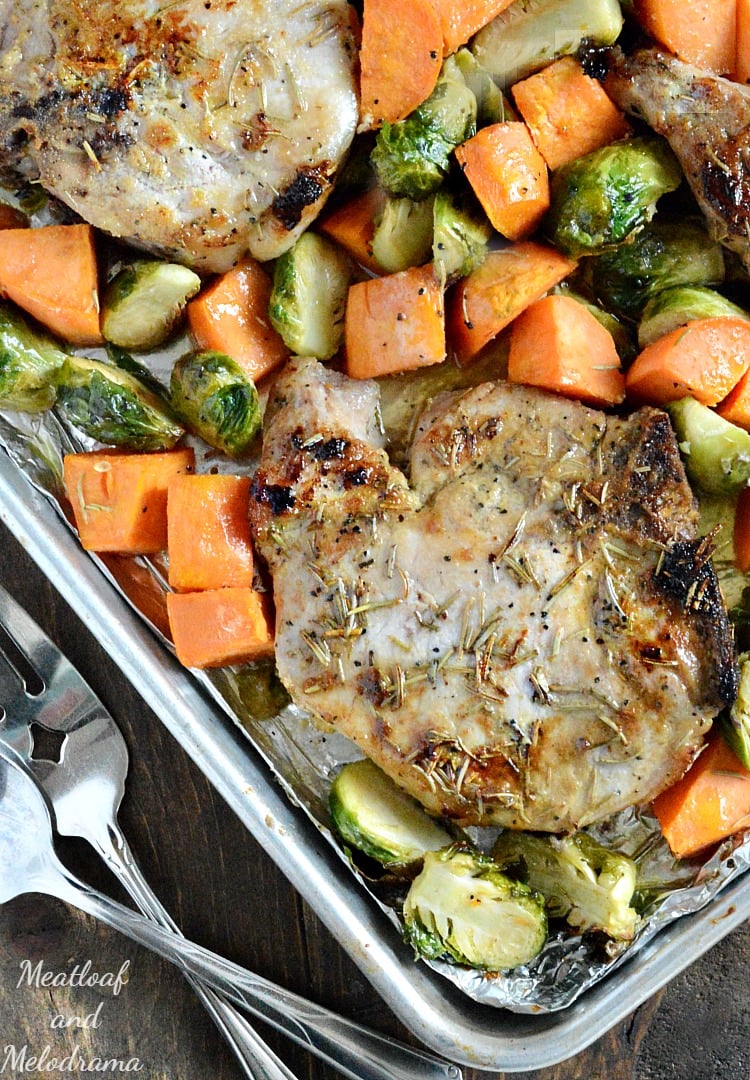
<point>216,400</point>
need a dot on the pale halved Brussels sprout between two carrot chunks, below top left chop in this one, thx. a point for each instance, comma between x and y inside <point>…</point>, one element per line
<point>143,303</point>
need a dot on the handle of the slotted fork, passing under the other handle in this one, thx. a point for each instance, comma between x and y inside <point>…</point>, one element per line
<point>258,1061</point>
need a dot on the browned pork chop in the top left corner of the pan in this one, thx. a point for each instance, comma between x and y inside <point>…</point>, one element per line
<point>196,130</point>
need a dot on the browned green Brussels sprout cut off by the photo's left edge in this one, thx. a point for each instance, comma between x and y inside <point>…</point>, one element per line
<point>30,361</point>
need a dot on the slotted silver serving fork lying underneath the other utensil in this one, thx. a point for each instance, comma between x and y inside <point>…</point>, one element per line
<point>85,784</point>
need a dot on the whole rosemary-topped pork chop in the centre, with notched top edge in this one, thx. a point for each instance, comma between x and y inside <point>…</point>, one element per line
<point>530,633</point>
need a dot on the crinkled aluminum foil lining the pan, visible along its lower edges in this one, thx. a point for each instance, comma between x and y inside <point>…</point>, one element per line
<point>304,760</point>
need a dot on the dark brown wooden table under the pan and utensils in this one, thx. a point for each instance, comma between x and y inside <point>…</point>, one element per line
<point>226,894</point>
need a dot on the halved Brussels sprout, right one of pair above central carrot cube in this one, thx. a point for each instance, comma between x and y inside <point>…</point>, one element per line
<point>461,236</point>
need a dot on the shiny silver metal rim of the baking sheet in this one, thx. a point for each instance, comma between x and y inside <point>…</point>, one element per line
<point>445,1019</point>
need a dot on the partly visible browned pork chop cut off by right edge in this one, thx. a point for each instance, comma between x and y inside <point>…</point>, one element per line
<point>706,120</point>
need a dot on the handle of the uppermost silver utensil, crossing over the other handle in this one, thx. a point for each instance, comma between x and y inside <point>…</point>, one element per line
<point>356,1051</point>
